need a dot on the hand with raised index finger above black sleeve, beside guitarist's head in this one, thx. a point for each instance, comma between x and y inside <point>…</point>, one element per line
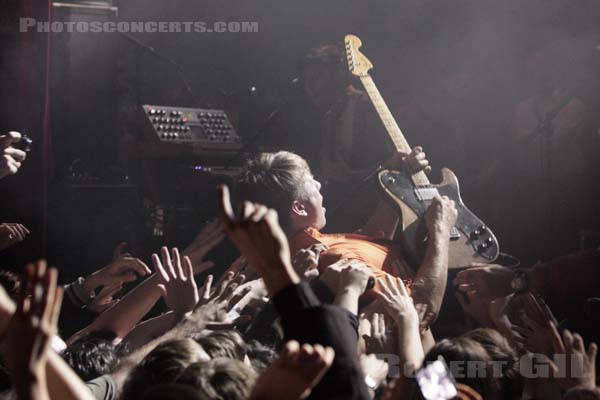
<point>259,237</point>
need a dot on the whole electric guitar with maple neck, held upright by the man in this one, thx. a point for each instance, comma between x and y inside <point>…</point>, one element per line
<point>470,239</point>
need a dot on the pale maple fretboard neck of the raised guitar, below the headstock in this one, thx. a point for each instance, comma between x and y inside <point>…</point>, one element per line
<point>392,128</point>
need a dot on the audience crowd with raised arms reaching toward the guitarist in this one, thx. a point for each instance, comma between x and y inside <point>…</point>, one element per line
<point>274,325</point>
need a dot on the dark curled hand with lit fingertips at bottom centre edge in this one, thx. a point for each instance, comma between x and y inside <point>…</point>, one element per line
<point>295,373</point>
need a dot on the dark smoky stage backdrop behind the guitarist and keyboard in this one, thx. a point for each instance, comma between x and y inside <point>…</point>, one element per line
<point>462,61</point>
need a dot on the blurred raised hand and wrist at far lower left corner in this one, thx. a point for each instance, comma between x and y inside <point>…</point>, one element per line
<point>27,341</point>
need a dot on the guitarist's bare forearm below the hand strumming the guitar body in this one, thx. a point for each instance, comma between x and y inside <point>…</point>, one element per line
<point>429,284</point>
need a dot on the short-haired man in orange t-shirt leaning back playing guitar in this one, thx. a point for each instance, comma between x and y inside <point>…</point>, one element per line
<point>283,181</point>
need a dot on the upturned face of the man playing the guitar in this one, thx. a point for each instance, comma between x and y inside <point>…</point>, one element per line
<point>312,213</point>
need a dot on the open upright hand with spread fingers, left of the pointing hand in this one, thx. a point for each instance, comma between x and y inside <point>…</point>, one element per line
<point>176,281</point>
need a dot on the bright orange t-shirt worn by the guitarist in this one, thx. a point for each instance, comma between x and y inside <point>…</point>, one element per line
<point>382,256</point>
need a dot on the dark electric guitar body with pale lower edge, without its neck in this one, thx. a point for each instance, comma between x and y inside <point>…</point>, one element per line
<point>471,240</point>
